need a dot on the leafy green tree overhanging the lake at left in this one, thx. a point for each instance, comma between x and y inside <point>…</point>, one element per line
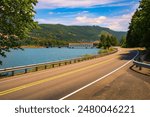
<point>16,21</point>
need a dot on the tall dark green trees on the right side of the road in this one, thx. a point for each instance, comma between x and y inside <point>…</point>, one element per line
<point>139,29</point>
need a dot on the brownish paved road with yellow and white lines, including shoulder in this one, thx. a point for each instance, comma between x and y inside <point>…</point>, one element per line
<point>108,77</point>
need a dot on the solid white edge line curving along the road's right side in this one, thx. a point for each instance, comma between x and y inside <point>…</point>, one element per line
<point>99,78</point>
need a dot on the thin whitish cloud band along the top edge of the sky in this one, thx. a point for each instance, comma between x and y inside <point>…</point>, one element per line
<point>71,3</point>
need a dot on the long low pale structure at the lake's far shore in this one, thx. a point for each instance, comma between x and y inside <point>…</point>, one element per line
<point>81,45</point>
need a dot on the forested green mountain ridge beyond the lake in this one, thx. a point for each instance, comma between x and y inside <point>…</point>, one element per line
<point>72,33</point>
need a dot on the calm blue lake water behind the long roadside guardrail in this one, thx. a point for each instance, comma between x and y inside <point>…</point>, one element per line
<point>41,55</point>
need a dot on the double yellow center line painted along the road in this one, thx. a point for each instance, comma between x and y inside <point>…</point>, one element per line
<point>51,78</point>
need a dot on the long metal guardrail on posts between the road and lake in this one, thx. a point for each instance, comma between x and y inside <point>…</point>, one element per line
<point>36,67</point>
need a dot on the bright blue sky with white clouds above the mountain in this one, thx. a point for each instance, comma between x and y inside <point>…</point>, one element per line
<point>113,14</point>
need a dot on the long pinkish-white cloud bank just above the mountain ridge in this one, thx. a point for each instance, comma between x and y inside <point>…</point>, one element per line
<point>118,23</point>
